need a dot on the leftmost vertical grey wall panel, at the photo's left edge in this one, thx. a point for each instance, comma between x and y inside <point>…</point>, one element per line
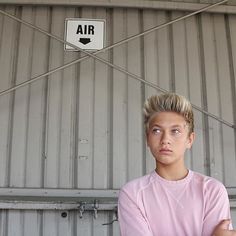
<point>7,68</point>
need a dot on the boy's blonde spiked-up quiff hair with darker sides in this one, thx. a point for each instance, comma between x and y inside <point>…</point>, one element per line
<point>168,102</point>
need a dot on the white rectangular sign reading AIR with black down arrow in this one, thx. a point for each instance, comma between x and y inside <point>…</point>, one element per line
<point>85,33</point>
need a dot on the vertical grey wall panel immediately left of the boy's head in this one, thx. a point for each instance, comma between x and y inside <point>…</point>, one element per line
<point>134,98</point>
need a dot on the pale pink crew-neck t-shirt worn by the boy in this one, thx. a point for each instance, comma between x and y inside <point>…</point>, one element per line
<point>153,206</point>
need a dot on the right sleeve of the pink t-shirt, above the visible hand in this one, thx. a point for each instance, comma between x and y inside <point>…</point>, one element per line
<point>217,208</point>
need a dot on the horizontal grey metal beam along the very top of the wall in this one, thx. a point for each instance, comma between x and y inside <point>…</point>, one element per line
<point>187,5</point>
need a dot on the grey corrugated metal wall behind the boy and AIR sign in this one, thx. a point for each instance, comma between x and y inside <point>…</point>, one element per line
<point>82,126</point>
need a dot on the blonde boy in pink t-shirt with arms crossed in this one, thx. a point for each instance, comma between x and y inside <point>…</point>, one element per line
<point>172,200</point>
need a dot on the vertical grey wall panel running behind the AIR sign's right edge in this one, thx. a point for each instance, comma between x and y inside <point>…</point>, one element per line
<point>102,103</point>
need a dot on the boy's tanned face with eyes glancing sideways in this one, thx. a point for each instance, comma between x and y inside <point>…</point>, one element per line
<point>168,137</point>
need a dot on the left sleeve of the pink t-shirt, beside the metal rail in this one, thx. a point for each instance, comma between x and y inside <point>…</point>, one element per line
<point>131,220</point>
